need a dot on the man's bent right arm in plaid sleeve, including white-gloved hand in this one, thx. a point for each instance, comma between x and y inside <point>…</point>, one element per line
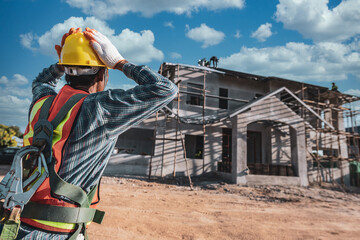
<point>118,110</point>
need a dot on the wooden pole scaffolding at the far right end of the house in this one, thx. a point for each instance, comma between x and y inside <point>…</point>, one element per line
<point>339,138</point>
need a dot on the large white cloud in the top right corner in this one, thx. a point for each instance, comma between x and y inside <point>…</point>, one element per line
<point>314,19</point>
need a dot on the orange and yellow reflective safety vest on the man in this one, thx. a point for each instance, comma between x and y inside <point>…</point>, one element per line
<point>43,197</point>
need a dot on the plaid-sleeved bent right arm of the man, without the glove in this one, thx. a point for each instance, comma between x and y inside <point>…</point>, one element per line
<point>117,109</point>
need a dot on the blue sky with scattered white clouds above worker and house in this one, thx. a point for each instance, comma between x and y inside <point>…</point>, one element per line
<point>314,41</point>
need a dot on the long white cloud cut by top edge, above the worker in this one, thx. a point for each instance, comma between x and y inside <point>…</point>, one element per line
<point>105,9</point>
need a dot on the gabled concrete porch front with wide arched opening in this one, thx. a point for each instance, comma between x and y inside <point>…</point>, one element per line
<point>274,110</point>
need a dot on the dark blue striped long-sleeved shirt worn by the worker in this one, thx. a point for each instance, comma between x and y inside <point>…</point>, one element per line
<point>102,118</point>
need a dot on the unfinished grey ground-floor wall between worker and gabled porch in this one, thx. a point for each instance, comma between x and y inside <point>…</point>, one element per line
<point>165,159</point>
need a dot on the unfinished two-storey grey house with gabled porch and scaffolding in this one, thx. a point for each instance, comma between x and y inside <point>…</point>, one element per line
<point>248,129</point>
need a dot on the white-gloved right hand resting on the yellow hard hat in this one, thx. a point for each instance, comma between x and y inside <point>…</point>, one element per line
<point>106,51</point>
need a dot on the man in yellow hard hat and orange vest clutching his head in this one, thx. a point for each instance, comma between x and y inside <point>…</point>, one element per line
<point>84,140</point>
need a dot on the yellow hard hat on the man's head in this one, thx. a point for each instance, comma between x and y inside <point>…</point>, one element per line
<point>78,52</point>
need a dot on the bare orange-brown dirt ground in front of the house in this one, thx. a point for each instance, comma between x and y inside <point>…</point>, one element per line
<point>169,209</point>
